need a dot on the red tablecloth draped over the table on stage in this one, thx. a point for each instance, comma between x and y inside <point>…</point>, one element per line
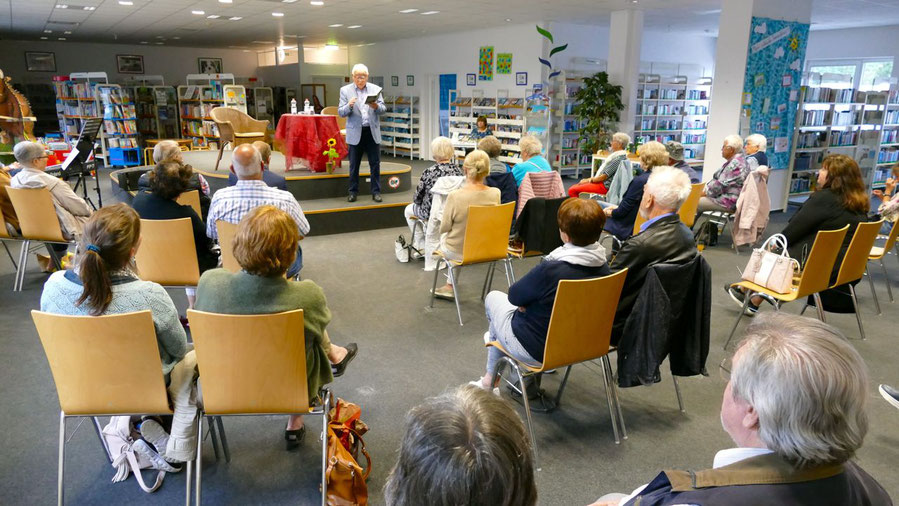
<point>306,137</point>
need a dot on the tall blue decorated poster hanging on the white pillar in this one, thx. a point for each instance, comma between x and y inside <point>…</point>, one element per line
<point>776,52</point>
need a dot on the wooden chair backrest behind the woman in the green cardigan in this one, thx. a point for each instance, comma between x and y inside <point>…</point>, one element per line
<point>251,364</point>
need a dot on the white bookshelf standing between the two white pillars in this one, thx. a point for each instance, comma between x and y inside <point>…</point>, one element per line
<point>674,109</point>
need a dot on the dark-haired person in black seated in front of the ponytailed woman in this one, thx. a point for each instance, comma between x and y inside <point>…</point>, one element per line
<point>168,180</point>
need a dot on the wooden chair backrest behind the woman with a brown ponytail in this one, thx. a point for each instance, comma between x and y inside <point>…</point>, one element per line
<point>104,364</point>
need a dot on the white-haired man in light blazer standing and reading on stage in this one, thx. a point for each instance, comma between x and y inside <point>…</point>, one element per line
<point>363,129</point>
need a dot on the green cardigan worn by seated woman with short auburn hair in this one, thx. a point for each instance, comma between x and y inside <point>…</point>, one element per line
<point>221,291</point>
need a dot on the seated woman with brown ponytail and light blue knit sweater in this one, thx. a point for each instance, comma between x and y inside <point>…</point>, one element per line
<point>103,282</point>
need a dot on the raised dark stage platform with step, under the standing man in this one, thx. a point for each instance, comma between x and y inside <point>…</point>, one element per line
<point>321,195</point>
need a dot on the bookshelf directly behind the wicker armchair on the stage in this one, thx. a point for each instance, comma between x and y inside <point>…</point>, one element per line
<point>196,99</point>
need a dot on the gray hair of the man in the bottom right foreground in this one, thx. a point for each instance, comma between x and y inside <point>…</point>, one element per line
<point>808,386</point>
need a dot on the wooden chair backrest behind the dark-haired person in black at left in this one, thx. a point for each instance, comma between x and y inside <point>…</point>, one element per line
<point>167,254</point>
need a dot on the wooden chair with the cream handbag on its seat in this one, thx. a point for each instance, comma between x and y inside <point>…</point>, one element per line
<point>815,276</point>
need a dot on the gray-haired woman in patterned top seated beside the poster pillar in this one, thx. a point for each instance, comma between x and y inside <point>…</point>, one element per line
<point>723,190</point>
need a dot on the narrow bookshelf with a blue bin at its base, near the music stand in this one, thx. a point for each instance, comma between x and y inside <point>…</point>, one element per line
<point>120,136</point>
